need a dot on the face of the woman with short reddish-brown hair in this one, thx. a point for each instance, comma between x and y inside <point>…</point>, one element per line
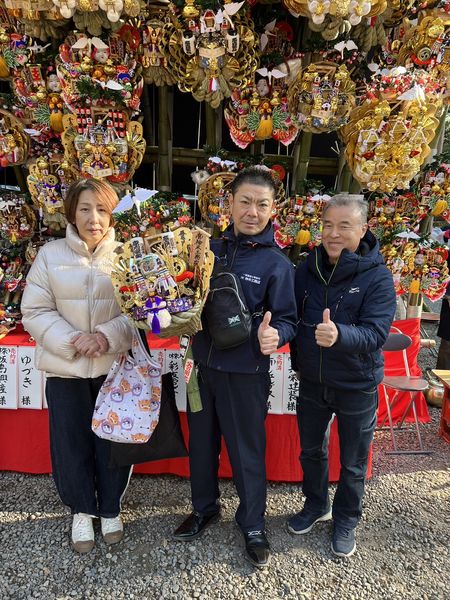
<point>92,219</point>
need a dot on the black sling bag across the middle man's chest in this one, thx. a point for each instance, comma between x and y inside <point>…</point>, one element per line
<point>229,320</point>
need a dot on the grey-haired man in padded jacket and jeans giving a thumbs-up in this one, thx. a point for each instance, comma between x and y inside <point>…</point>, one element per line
<point>346,303</point>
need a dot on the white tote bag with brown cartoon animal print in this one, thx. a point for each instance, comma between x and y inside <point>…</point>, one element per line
<point>129,401</point>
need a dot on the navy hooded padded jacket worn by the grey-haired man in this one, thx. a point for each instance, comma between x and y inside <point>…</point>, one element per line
<point>359,291</point>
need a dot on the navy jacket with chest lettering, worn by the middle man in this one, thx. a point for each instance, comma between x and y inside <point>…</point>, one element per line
<point>267,280</point>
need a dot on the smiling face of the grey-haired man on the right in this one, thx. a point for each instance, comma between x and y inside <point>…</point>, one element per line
<point>342,228</point>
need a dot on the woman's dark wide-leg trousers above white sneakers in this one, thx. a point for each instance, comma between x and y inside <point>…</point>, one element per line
<point>80,459</point>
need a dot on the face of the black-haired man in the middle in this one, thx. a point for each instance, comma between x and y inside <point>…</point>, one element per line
<point>251,207</point>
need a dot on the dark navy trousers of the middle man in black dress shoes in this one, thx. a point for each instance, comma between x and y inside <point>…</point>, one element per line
<point>235,406</point>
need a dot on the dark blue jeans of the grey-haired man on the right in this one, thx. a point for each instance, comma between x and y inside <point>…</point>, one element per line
<point>356,418</point>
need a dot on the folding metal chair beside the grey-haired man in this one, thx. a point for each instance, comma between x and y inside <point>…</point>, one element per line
<point>399,342</point>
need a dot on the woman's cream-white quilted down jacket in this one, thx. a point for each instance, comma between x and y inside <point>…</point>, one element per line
<point>69,291</point>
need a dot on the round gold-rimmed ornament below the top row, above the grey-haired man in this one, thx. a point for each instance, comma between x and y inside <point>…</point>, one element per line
<point>321,97</point>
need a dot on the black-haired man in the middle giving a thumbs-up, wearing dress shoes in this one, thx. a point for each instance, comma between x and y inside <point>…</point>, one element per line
<point>235,383</point>
